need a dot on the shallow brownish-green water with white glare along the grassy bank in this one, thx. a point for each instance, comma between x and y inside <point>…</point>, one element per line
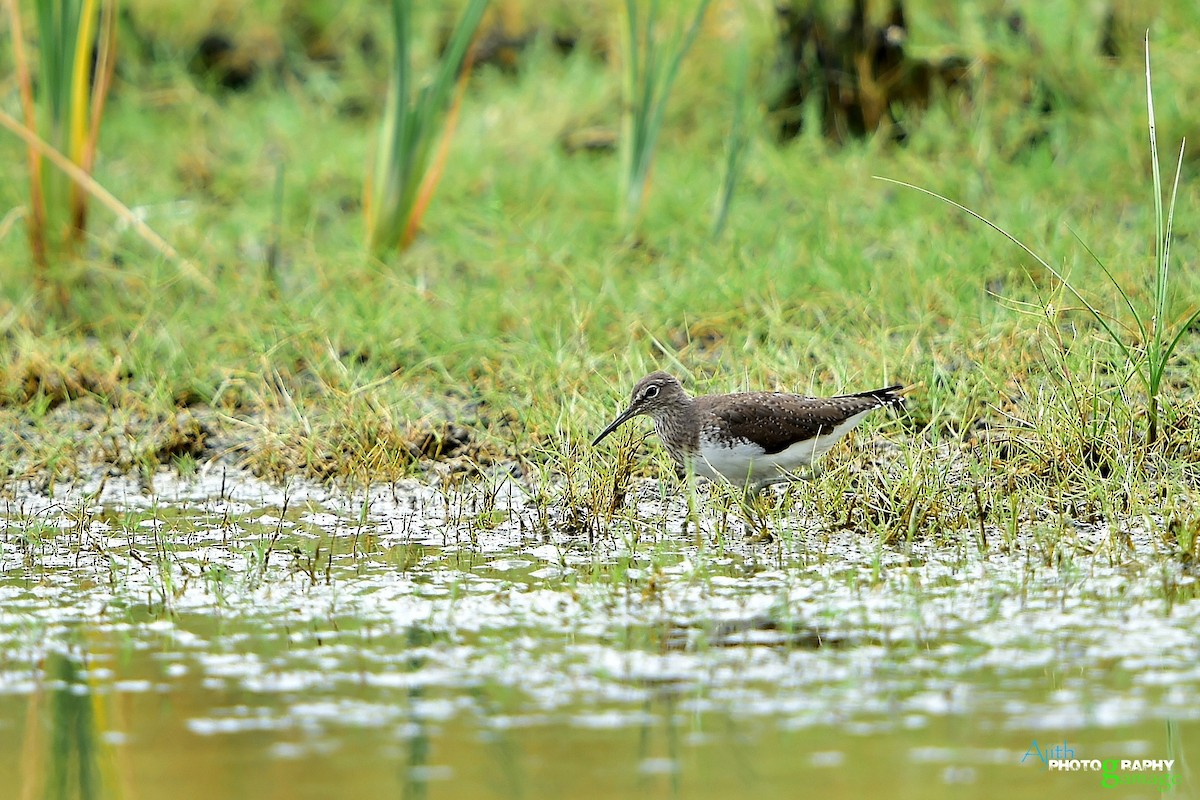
<point>221,637</point>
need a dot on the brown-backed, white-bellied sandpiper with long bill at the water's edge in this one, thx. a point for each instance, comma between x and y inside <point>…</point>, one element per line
<point>751,440</point>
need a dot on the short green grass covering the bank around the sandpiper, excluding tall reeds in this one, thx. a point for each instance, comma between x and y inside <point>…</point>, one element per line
<point>521,318</point>
